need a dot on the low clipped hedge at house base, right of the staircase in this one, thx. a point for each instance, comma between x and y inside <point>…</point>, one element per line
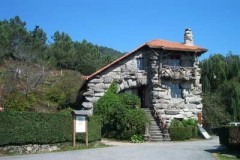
<point>180,133</point>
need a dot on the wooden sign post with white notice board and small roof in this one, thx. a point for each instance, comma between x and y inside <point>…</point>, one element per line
<point>80,125</point>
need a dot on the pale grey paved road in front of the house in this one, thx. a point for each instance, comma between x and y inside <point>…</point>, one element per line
<point>197,150</point>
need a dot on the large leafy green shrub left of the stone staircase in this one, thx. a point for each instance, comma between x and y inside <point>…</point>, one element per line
<point>120,114</point>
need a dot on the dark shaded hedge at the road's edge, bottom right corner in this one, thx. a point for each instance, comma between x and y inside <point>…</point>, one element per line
<point>229,136</point>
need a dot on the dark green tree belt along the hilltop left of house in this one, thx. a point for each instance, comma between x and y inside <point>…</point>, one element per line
<point>17,43</point>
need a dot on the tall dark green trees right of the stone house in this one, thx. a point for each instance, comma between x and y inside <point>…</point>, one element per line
<point>221,86</point>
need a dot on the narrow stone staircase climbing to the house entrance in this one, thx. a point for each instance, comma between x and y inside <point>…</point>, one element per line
<point>155,134</point>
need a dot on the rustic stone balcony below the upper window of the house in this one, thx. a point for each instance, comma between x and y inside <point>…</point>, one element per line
<point>177,72</point>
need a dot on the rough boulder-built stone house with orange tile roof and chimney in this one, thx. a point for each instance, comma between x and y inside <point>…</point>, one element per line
<point>165,75</point>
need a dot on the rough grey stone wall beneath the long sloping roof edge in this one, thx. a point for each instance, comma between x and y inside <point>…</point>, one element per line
<point>126,74</point>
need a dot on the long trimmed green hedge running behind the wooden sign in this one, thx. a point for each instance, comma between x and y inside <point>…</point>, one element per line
<point>18,128</point>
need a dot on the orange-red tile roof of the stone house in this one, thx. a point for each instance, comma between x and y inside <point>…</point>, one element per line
<point>162,44</point>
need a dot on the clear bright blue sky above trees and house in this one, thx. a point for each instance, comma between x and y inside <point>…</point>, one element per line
<point>126,24</point>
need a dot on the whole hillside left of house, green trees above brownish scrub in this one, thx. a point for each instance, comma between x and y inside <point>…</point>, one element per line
<point>38,74</point>
